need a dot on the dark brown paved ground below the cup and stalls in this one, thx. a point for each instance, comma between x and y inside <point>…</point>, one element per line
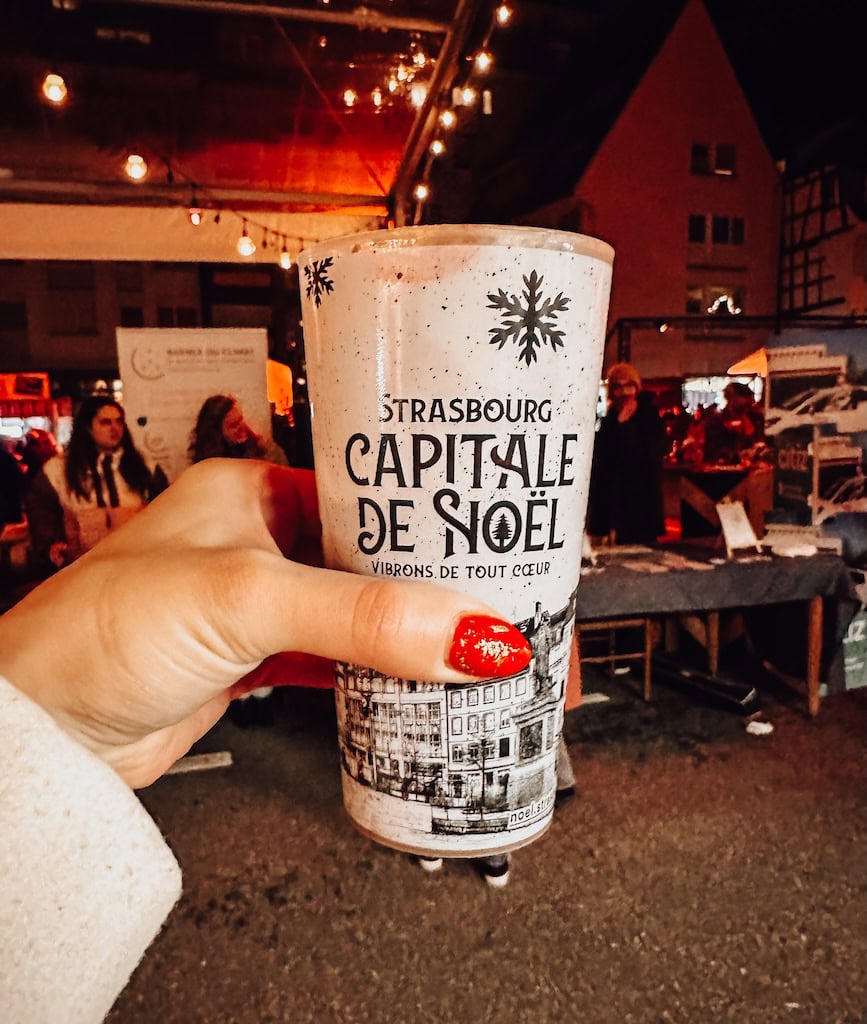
<point>702,876</point>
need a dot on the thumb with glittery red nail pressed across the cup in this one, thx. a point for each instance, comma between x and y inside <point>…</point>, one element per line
<point>407,629</point>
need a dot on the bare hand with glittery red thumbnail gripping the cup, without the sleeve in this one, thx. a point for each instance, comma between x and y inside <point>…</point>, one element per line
<point>136,648</point>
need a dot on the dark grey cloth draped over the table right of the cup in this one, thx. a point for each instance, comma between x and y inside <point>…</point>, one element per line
<point>619,592</point>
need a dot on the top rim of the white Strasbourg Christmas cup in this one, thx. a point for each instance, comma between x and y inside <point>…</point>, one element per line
<point>471,235</point>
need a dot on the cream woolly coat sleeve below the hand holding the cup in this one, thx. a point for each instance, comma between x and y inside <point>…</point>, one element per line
<point>86,880</point>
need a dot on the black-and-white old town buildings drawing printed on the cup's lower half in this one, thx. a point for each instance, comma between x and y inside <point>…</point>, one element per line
<point>472,760</point>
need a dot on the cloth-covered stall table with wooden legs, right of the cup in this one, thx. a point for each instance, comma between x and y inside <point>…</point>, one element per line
<point>663,584</point>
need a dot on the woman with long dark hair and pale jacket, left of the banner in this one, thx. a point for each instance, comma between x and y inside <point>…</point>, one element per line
<point>102,482</point>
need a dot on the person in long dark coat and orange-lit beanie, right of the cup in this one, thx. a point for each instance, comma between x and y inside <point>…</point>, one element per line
<point>626,487</point>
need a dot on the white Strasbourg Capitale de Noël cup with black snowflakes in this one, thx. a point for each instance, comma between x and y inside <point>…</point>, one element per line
<point>454,374</point>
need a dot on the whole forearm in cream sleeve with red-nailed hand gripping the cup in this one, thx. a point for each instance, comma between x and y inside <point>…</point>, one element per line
<point>112,669</point>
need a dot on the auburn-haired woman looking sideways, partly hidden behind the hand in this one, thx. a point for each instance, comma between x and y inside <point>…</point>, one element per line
<point>222,432</point>
